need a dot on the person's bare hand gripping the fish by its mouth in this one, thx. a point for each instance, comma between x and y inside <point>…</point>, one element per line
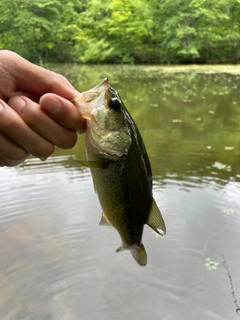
<point>35,111</point>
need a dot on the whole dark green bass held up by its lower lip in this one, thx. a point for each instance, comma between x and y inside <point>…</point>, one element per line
<point>120,168</point>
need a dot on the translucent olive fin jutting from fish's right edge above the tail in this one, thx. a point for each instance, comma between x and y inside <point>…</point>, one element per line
<point>155,220</point>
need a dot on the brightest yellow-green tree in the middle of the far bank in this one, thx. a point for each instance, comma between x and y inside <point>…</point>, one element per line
<point>112,31</point>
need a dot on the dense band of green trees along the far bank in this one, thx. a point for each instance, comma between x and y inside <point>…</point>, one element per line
<point>122,31</point>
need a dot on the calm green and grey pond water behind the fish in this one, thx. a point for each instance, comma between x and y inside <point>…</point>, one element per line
<point>56,262</point>
